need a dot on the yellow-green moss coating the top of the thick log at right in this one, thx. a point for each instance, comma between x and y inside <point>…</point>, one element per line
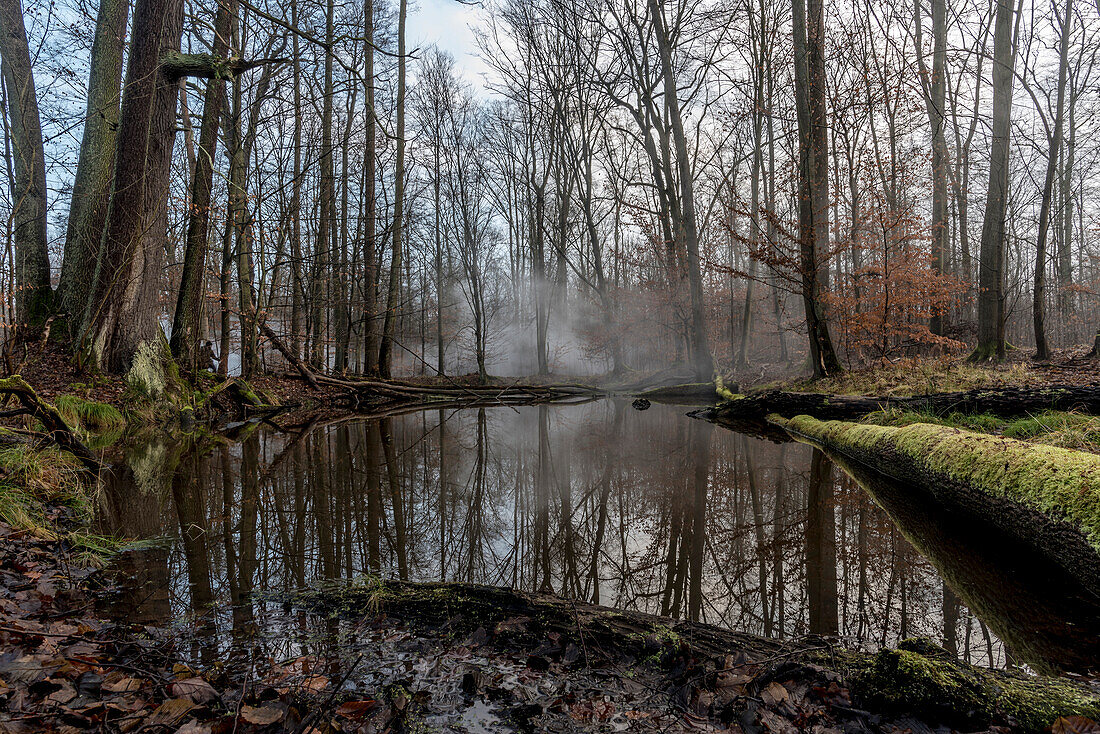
<point>1061,484</point>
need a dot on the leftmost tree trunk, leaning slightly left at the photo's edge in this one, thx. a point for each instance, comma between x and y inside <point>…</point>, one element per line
<point>29,185</point>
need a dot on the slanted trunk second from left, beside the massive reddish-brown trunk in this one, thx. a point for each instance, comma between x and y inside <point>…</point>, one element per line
<point>92,188</point>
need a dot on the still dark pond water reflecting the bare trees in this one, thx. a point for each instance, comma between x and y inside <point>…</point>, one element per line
<point>650,511</point>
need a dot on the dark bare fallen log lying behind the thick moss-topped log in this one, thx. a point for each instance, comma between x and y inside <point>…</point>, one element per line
<point>1000,401</point>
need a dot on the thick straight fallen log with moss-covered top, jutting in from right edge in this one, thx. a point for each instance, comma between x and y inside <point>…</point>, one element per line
<point>1048,496</point>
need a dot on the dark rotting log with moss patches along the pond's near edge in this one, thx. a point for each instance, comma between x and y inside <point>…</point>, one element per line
<point>918,680</point>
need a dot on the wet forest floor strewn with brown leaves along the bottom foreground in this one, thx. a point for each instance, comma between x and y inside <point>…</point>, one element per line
<point>68,667</point>
